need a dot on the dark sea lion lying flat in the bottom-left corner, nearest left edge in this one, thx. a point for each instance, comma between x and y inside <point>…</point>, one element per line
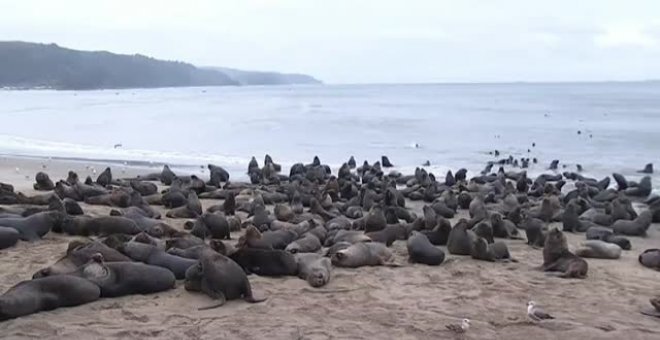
<point>48,293</point>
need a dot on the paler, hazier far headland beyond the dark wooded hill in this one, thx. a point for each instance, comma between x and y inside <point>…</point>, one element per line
<point>265,78</point>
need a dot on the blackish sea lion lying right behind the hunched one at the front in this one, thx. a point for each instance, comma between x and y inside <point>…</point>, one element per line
<point>265,262</point>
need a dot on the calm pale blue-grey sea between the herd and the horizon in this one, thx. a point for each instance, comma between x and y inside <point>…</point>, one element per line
<point>605,127</point>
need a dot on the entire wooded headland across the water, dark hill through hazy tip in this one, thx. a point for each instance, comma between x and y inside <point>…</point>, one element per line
<point>30,65</point>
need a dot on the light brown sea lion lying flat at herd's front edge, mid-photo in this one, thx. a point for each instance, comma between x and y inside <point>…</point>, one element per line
<point>362,254</point>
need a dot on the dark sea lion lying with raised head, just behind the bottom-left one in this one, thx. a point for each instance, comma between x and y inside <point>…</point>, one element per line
<point>125,278</point>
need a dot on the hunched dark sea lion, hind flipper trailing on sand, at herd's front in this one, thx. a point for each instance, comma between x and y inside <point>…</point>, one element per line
<point>220,278</point>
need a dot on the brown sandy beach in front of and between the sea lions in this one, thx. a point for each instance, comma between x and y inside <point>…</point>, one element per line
<point>409,302</point>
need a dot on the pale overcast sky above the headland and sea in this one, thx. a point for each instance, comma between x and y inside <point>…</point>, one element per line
<point>353,41</point>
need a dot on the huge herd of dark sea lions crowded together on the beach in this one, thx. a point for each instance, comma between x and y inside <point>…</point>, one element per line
<point>319,220</point>
